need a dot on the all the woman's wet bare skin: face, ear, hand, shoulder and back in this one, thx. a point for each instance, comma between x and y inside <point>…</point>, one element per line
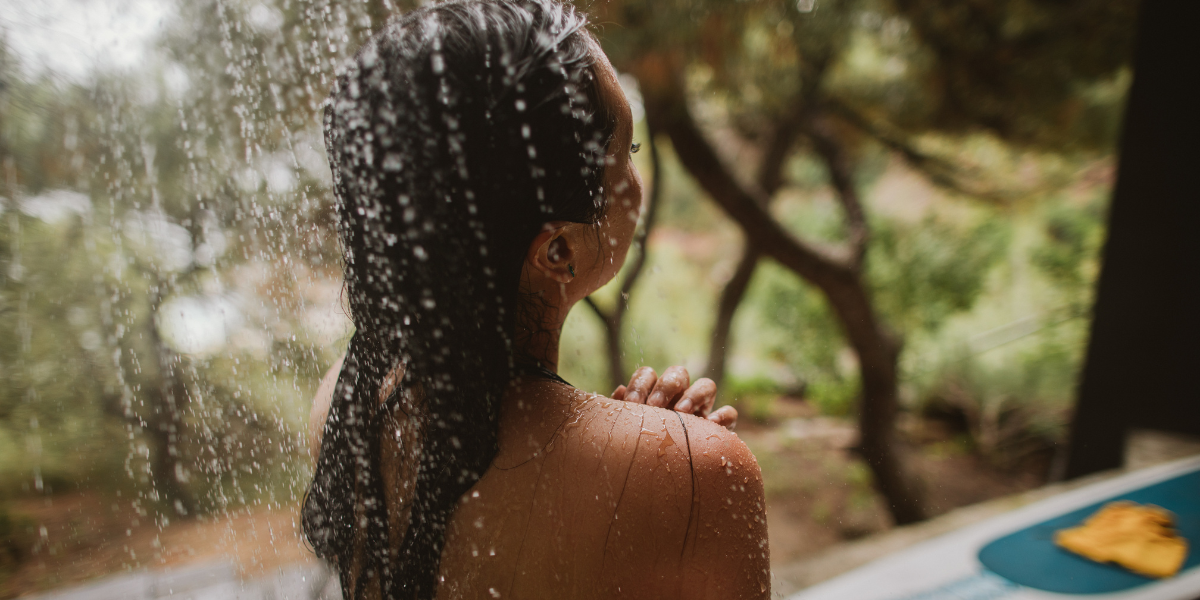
<point>592,497</point>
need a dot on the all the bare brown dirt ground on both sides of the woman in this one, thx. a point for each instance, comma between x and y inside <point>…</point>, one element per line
<point>819,494</point>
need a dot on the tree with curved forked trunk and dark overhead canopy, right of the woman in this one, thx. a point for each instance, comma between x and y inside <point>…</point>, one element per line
<point>789,79</point>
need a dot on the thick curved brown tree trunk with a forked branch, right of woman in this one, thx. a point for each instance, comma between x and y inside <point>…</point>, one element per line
<point>837,274</point>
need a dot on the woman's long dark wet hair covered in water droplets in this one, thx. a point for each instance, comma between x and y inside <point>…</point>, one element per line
<point>453,136</point>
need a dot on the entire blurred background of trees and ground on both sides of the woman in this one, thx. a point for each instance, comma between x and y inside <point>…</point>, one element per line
<point>877,224</point>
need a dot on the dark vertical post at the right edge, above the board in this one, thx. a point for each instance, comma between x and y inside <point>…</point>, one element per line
<point>1143,365</point>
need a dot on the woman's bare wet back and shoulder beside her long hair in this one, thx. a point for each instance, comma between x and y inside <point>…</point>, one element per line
<point>598,499</point>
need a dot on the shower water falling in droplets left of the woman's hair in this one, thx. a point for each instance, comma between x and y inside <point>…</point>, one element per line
<point>171,267</point>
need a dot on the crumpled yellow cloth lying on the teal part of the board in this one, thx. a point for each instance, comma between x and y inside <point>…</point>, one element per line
<point>1141,538</point>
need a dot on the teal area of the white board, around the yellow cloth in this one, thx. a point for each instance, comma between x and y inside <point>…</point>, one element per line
<point>1031,559</point>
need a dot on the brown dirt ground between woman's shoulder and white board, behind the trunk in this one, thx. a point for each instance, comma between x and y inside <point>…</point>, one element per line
<point>820,494</point>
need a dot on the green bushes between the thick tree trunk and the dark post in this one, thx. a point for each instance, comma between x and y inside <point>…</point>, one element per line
<point>1015,385</point>
